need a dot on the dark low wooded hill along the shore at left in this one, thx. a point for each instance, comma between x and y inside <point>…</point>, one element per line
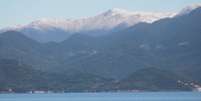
<point>22,78</point>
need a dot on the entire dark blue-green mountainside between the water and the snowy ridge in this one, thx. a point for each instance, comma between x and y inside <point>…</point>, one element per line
<point>123,60</point>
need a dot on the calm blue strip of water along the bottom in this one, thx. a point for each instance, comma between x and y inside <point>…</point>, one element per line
<point>162,96</point>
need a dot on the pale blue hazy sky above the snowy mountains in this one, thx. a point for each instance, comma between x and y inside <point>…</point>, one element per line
<point>13,12</point>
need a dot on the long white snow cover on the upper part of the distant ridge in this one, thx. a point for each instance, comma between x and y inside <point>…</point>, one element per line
<point>105,20</point>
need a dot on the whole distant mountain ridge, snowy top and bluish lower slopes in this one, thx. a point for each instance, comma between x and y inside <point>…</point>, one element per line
<point>46,30</point>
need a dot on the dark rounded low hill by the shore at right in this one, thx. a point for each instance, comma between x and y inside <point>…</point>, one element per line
<point>156,79</point>
